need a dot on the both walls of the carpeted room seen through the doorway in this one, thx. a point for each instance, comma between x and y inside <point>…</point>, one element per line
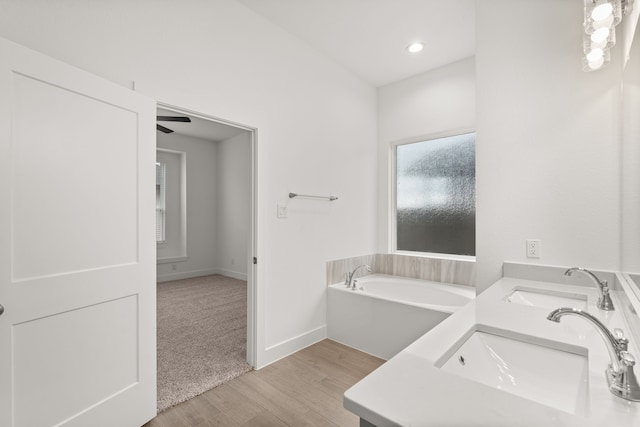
<point>218,208</point>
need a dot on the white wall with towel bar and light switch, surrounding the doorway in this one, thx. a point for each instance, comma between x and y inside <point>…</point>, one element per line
<point>316,127</point>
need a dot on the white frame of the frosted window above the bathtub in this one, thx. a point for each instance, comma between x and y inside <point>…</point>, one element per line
<point>392,213</point>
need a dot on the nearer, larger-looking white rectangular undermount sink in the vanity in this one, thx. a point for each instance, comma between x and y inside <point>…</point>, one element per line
<point>550,373</point>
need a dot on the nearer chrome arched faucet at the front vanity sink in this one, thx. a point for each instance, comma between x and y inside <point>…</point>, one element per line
<point>620,376</point>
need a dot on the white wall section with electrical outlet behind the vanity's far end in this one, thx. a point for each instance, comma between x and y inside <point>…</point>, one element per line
<point>548,140</point>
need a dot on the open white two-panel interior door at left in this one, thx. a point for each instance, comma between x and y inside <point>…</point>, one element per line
<point>77,247</point>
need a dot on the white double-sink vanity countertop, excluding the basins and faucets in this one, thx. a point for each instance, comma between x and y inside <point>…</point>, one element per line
<point>409,390</point>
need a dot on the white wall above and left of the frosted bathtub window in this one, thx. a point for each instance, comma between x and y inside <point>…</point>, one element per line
<point>435,102</point>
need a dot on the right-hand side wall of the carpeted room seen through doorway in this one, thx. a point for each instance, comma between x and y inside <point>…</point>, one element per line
<point>233,182</point>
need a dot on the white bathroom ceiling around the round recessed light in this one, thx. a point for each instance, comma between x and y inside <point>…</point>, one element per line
<point>369,37</point>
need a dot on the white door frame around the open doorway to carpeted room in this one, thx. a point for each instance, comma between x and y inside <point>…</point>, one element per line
<point>253,246</point>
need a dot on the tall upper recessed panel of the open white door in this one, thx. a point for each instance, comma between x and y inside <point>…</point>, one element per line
<point>74,178</point>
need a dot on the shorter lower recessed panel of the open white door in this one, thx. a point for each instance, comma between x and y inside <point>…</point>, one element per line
<point>107,365</point>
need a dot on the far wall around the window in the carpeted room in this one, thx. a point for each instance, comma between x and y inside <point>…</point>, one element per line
<point>201,156</point>
